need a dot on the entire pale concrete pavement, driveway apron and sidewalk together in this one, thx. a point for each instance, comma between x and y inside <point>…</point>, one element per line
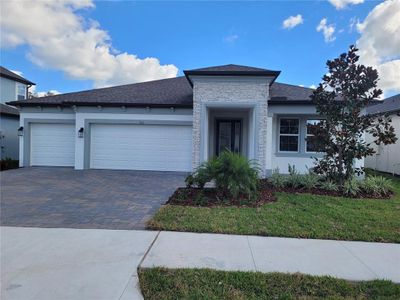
<point>42,263</point>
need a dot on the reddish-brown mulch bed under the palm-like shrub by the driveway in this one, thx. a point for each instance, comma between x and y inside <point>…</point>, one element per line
<point>209,197</point>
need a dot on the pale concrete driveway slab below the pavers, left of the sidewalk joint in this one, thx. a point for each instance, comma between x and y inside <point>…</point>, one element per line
<point>92,264</point>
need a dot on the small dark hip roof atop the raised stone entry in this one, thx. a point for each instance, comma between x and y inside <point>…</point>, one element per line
<point>231,70</point>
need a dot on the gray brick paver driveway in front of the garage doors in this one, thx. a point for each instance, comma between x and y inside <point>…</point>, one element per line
<point>63,197</point>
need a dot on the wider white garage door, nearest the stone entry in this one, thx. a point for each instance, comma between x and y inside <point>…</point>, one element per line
<point>141,147</point>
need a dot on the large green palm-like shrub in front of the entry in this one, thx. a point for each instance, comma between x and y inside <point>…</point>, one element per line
<point>233,174</point>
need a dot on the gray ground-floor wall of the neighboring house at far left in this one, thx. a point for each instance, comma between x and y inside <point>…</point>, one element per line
<point>9,140</point>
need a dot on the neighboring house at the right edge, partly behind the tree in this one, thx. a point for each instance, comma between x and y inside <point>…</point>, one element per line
<point>386,158</point>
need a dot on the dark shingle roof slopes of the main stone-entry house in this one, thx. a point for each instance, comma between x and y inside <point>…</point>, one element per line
<point>169,92</point>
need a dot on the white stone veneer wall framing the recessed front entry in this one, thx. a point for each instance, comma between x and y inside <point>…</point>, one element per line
<point>230,92</point>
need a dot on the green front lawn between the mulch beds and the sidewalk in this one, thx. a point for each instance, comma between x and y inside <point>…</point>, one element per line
<point>294,215</point>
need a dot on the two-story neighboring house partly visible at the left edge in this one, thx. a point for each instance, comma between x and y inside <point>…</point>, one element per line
<point>12,87</point>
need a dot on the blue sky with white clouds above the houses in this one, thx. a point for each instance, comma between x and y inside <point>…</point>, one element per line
<point>69,45</point>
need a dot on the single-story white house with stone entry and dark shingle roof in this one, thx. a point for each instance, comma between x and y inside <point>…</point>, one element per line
<point>173,124</point>
